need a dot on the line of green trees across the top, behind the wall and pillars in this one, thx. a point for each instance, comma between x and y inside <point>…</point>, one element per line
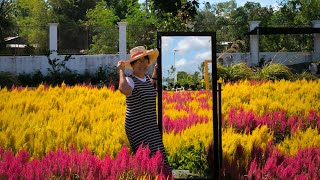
<point>94,22</point>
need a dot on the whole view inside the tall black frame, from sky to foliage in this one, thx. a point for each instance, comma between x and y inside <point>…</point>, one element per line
<point>185,107</point>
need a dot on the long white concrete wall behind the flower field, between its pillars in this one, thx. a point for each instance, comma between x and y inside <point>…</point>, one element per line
<point>91,63</point>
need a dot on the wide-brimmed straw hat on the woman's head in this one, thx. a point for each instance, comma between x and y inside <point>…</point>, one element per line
<point>139,52</point>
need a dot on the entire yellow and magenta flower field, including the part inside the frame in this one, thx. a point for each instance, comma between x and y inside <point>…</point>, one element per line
<point>270,130</point>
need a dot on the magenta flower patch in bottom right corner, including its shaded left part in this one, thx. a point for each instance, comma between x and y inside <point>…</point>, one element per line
<point>271,164</point>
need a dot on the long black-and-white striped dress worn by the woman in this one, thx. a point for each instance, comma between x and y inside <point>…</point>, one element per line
<point>141,118</point>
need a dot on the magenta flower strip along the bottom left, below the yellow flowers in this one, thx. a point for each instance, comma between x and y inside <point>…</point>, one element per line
<point>60,164</point>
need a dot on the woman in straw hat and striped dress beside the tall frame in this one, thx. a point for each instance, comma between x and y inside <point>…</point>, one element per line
<point>140,90</point>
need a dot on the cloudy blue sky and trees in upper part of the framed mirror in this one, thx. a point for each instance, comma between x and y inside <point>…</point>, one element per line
<point>182,60</point>
